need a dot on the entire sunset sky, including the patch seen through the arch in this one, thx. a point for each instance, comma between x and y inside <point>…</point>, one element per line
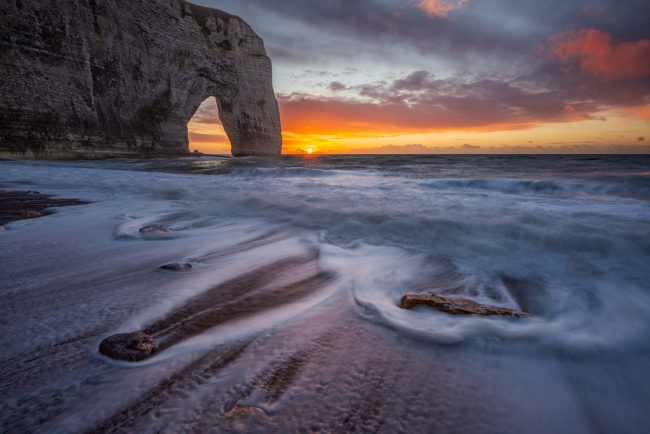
<point>451,76</point>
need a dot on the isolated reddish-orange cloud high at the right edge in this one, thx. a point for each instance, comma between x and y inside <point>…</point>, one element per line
<point>597,52</point>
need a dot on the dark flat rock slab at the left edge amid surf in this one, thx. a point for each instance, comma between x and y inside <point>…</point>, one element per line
<point>21,205</point>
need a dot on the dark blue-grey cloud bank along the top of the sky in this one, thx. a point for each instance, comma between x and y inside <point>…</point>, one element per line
<point>489,27</point>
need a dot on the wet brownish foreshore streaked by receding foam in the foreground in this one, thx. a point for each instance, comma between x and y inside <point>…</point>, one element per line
<point>328,369</point>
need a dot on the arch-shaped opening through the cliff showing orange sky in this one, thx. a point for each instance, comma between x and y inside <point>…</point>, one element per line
<point>205,132</point>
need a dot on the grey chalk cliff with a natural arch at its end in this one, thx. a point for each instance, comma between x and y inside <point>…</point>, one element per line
<point>96,78</point>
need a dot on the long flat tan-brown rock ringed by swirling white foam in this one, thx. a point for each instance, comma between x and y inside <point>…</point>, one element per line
<point>458,306</point>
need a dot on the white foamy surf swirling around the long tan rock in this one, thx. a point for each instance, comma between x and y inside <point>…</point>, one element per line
<point>569,317</point>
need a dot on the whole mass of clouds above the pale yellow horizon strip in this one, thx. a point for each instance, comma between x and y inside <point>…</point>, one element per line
<point>506,64</point>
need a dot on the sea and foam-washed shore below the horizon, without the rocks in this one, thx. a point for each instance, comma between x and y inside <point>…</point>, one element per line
<point>317,251</point>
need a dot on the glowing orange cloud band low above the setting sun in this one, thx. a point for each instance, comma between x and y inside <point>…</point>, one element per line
<point>322,119</point>
